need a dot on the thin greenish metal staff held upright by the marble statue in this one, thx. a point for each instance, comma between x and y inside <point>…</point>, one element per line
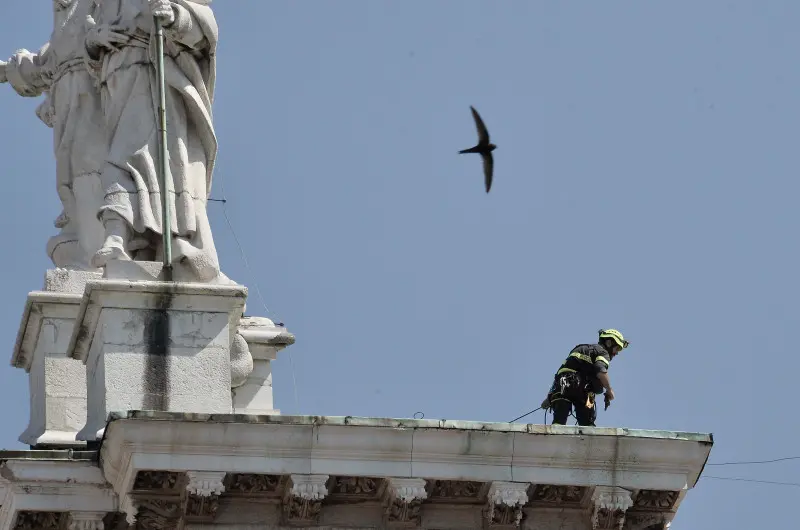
<point>166,222</point>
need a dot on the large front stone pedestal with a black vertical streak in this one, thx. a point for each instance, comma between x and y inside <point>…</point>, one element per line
<point>152,345</point>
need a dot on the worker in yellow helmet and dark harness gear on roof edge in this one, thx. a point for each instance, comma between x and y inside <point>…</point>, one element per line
<point>582,376</point>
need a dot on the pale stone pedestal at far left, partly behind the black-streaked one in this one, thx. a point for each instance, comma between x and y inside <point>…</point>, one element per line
<point>57,382</point>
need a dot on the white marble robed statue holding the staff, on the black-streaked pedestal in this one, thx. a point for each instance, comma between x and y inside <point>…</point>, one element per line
<point>121,53</point>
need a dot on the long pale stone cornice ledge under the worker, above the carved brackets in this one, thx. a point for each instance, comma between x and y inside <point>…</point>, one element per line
<point>557,455</point>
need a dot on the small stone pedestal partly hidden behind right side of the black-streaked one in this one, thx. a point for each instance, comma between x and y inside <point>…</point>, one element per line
<point>264,340</point>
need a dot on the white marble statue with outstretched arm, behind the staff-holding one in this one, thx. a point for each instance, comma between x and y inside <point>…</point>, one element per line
<point>72,109</point>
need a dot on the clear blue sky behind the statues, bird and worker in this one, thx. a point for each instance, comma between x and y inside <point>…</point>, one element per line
<point>644,180</point>
